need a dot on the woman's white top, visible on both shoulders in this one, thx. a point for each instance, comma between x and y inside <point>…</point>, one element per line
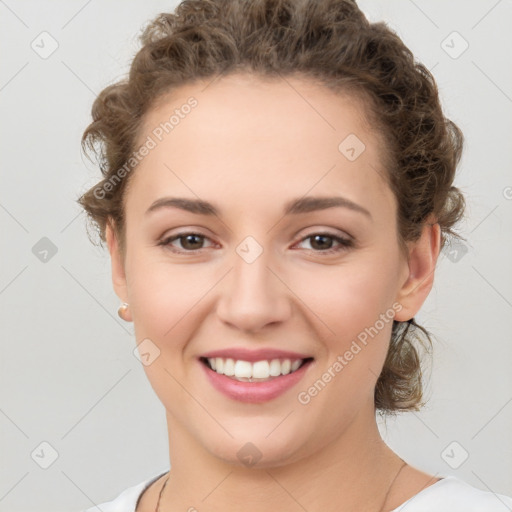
<point>447,495</point>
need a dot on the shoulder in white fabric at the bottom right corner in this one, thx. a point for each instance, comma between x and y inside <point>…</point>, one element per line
<point>452,494</point>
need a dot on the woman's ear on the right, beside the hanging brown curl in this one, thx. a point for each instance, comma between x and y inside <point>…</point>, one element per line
<point>423,254</point>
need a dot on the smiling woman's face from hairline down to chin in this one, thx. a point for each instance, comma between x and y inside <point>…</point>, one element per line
<point>263,273</point>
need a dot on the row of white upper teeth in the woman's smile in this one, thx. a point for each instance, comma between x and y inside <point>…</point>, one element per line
<point>259,370</point>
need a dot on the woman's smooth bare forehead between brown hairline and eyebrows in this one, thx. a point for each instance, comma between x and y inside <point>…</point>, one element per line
<point>259,135</point>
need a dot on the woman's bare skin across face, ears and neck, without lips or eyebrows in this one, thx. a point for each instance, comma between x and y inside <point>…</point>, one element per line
<point>249,147</point>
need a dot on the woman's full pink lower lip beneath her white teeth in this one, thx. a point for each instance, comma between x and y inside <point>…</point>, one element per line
<point>254,392</point>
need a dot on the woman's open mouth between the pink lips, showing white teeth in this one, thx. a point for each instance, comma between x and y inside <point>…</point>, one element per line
<point>258,371</point>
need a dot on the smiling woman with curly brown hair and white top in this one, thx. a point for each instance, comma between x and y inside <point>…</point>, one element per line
<point>277,189</point>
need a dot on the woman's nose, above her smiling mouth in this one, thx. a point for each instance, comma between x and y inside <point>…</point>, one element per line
<point>254,295</point>
